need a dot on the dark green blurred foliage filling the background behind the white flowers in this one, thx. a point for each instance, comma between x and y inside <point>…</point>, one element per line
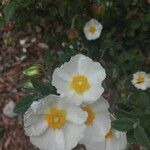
<point>123,48</point>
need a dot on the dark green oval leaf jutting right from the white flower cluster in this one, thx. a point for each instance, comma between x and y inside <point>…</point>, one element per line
<point>123,124</point>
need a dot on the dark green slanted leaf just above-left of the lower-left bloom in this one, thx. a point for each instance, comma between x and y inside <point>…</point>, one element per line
<point>24,104</point>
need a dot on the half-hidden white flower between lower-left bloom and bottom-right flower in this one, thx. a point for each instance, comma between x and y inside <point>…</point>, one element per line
<point>98,122</point>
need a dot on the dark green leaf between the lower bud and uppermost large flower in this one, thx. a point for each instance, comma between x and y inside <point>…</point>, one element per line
<point>43,88</point>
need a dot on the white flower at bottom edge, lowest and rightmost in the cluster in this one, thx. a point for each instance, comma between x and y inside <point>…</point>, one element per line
<point>114,140</point>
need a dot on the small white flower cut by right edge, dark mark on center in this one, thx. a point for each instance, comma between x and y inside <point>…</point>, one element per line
<point>141,80</point>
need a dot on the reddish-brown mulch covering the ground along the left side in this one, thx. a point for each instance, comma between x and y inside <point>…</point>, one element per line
<point>13,60</point>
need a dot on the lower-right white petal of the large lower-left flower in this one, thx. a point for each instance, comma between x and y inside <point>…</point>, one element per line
<point>73,134</point>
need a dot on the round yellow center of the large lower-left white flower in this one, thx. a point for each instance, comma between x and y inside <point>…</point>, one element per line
<point>56,118</point>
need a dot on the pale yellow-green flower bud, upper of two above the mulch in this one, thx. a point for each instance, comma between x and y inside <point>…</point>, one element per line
<point>34,70</point>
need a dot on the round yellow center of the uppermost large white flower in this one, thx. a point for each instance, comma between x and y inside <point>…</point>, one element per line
<point>80,84</point>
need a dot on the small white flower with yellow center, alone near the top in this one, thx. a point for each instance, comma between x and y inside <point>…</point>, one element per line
<point>92,29</point>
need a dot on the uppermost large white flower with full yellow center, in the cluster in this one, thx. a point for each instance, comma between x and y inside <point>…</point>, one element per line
<point>79,80</point>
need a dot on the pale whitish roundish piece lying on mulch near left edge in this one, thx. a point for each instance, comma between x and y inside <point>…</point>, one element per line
<point>8,109</point>
